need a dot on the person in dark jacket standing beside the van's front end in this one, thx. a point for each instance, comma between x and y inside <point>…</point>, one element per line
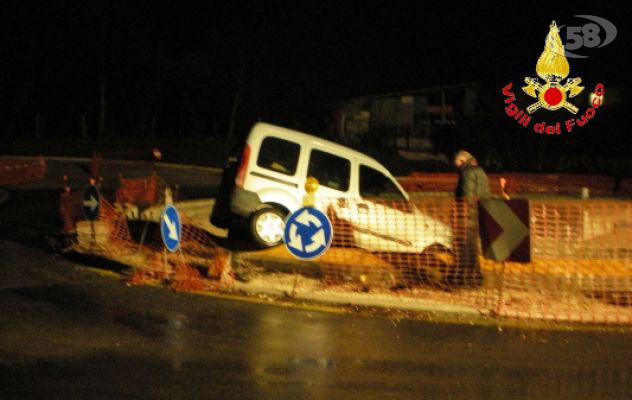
<point>473,184</point>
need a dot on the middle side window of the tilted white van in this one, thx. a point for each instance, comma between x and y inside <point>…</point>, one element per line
<point>330,170</point>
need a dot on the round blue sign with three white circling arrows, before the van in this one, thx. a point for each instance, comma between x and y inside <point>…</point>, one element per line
<point>307,233</point>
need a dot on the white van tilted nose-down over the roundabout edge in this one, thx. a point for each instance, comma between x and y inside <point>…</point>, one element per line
<point>267,183</point>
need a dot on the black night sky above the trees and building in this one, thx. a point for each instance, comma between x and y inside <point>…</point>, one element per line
<point>184,61</point>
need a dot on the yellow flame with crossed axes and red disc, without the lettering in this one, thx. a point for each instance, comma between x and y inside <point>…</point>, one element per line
<point>553,68</point>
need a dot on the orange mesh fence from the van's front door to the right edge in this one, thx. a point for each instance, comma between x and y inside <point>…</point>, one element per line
<point>580,269</point>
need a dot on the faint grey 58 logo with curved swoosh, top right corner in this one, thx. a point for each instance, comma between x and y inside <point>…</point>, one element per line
<point>595,34</point>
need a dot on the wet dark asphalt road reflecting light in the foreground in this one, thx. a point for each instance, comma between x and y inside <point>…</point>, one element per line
<point>69,333</point>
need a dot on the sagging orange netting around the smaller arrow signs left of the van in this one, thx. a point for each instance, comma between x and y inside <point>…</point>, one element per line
<point>197,264</point>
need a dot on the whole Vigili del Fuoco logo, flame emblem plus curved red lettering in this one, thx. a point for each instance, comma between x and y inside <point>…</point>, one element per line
<point>555,93</point>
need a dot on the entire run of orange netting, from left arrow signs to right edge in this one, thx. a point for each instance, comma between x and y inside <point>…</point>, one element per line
<point>428,249</point>
